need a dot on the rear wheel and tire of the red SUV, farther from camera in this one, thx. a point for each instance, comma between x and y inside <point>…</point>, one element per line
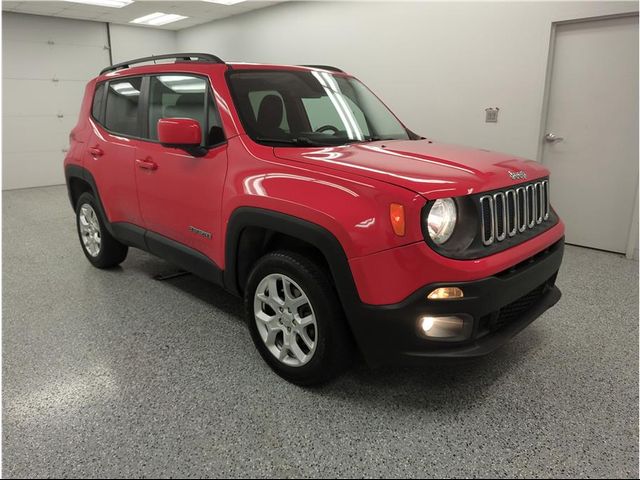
<point>98,245</point>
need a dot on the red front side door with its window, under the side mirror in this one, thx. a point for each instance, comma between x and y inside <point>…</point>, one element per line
<point>180,195</point>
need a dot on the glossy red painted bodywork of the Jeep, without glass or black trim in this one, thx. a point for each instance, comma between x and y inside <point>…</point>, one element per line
<point>346,189</point>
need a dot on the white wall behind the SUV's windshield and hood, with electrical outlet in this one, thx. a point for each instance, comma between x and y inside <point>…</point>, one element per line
<point>438,65</point>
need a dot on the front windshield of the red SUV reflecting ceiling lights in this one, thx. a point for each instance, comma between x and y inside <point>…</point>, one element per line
<point>299,108</point>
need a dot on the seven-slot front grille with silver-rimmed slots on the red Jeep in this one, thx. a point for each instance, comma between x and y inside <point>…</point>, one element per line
<point>509,212</point>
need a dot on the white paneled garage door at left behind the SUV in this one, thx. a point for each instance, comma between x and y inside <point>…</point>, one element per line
<point>45,66</point>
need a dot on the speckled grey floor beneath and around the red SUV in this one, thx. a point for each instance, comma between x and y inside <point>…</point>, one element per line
<point>114,374</point>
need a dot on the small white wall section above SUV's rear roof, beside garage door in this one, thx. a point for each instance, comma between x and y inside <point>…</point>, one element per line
<point>135,42</point>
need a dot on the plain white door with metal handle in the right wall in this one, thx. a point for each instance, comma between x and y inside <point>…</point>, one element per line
<point>591,135</point>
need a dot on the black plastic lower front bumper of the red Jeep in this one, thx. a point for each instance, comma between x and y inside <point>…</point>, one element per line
<point>500,306</point>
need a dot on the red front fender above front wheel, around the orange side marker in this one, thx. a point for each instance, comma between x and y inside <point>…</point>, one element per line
<point>354,209</point>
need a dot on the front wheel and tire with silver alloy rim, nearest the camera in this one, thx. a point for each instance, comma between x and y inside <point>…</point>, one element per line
<point>332,349</point>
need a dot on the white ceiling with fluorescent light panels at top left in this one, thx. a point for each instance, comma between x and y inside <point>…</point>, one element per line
<point>197,11</point>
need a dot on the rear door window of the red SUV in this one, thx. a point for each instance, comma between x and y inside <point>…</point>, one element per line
<point>122,110</point>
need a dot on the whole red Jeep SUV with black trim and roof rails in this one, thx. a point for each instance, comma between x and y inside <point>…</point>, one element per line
<point>296,188</point>
